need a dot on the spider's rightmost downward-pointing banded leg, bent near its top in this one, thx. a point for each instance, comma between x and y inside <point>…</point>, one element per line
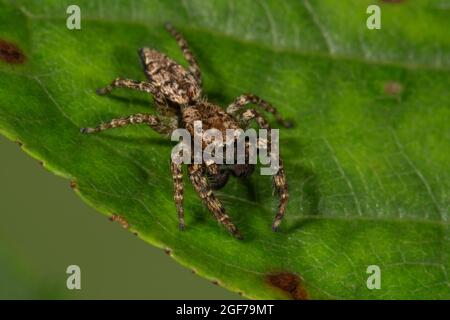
<point>279,179</point>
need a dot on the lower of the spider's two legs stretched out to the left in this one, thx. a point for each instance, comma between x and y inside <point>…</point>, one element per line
<point>138,118</point>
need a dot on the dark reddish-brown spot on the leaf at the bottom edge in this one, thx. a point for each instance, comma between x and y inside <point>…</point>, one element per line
<point>290,283</point>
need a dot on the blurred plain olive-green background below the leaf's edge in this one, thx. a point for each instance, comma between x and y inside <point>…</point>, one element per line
<point>42,220</point>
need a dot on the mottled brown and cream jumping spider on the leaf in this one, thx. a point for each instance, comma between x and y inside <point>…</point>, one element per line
<point>177,93</point>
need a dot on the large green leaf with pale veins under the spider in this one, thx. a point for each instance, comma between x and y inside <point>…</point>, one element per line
<point>367,161</point>
